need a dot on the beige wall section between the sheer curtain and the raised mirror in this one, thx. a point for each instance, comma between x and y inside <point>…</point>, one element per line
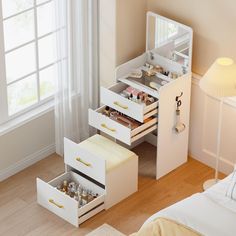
<point>122,35</point>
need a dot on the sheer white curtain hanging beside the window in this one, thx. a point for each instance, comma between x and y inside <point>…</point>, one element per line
<point>78,83</point>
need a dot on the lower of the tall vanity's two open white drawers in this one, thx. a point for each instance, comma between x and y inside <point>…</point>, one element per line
<point>120,131</point>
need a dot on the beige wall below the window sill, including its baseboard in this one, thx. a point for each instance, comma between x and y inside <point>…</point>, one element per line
<point>29,141</point>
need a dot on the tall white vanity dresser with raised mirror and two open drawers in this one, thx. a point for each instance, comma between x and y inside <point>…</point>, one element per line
<point>169,52</point>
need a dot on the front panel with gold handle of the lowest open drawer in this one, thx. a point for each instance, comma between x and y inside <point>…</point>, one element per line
<point>57,202</point>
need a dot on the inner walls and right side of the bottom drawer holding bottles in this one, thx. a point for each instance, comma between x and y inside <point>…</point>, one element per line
<point>88,186</point>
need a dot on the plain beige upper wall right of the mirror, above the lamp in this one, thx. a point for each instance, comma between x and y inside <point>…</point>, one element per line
<point>213,23</point>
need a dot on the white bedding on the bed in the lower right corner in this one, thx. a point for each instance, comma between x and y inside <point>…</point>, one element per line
<point>210,213</point>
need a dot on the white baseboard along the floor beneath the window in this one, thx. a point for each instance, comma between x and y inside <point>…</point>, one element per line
<point>26,162</point>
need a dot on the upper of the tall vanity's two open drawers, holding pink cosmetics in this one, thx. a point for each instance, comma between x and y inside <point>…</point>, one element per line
<point>137,109</point>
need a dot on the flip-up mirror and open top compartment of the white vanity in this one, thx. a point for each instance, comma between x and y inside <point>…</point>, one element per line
<point>168,56</point>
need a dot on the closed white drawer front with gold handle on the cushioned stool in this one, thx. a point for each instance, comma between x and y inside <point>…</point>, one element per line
<point>84,161</point>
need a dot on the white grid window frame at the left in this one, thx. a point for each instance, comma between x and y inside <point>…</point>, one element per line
<point>47,103</point>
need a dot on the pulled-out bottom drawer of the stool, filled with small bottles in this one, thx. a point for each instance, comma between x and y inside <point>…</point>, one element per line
<point>63,205</point>
